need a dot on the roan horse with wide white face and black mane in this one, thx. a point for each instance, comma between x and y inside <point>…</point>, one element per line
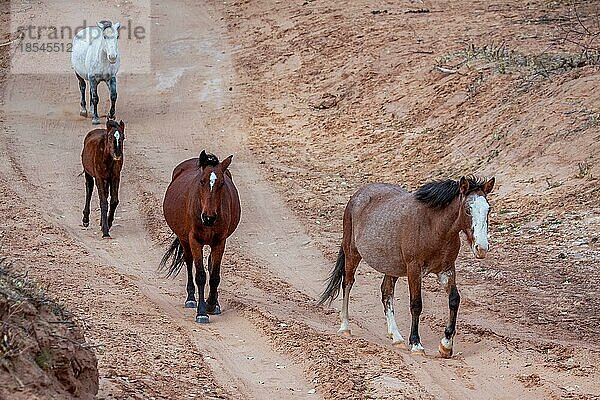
<point>408,234</point>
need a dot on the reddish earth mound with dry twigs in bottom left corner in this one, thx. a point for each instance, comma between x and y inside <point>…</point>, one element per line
<point>38,339</point>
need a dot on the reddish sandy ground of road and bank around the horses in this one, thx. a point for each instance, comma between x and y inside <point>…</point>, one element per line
<point>297,94</point>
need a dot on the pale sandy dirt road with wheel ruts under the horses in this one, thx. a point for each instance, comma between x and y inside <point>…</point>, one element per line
<point>271,341</point>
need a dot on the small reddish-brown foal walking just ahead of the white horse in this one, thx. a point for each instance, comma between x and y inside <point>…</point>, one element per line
<point>102,159</point>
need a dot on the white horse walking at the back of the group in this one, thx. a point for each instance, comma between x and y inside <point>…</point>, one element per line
<point>96,58</point>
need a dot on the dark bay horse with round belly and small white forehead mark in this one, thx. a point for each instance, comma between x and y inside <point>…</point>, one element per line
<point>202,207</point>
